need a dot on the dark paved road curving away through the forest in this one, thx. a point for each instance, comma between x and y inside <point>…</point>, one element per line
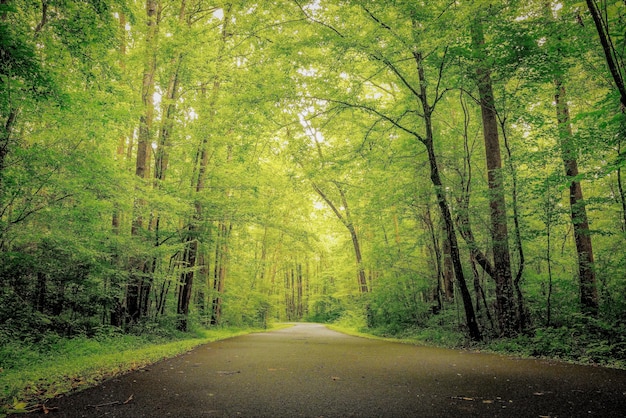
<point>310,371</point>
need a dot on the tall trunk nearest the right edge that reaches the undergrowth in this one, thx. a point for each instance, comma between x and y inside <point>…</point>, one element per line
<point>580,223</point>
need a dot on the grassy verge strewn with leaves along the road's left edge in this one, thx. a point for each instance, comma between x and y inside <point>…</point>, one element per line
<point>29,375</point>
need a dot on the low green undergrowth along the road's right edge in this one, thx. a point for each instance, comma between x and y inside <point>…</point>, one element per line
<point>578,338</point>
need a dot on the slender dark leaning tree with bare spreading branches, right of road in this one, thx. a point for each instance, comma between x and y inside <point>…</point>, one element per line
<point>408,47</point>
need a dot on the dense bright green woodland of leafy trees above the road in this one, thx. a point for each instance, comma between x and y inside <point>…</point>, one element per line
<point>445,168</point>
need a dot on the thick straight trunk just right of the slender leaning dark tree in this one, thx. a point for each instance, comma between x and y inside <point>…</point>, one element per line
<point>505,301</point>
